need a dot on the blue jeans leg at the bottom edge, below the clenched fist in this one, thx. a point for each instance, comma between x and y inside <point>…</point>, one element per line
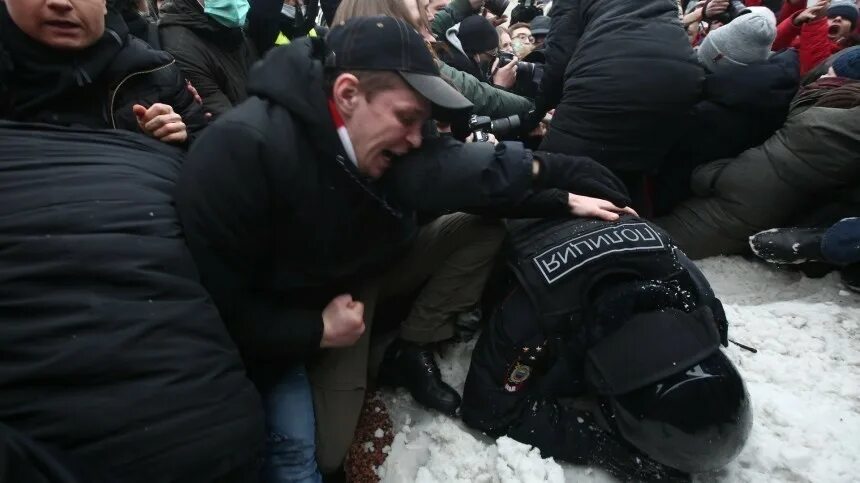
<point>290,446</point>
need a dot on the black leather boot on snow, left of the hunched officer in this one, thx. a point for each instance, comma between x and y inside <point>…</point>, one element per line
<point>412,366</point>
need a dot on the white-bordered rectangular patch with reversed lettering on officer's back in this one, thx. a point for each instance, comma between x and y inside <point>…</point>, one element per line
<point>563,259</point>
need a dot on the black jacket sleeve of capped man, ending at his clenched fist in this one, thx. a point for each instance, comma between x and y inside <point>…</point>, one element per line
<point>224,224</point>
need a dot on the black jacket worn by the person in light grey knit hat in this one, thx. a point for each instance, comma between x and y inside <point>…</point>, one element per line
<point>740,108</point>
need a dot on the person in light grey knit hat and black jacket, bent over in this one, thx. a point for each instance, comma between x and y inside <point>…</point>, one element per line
<point>745,100</point>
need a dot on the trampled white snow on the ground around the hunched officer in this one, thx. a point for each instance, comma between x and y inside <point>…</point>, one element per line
<point>804,383</point>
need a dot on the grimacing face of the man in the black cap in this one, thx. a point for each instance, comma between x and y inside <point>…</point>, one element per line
<point>386,126</point>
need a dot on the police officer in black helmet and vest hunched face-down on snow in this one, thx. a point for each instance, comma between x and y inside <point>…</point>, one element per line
<point>606,353</point>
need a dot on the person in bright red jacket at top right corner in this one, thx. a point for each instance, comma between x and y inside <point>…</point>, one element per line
<point>817,32</point>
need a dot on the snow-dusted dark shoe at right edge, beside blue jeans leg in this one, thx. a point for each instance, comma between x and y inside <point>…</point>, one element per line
<point>788,246</point>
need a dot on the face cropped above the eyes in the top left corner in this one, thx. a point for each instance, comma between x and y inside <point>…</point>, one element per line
<point>60,24</point>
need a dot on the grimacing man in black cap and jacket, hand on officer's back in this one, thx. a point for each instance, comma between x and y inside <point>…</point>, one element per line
<point>297,233</point>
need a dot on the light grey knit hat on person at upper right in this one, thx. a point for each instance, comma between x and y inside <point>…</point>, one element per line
<point>744,41</point>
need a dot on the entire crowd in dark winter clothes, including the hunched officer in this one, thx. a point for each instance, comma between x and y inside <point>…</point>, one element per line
<point>211,207</point>
